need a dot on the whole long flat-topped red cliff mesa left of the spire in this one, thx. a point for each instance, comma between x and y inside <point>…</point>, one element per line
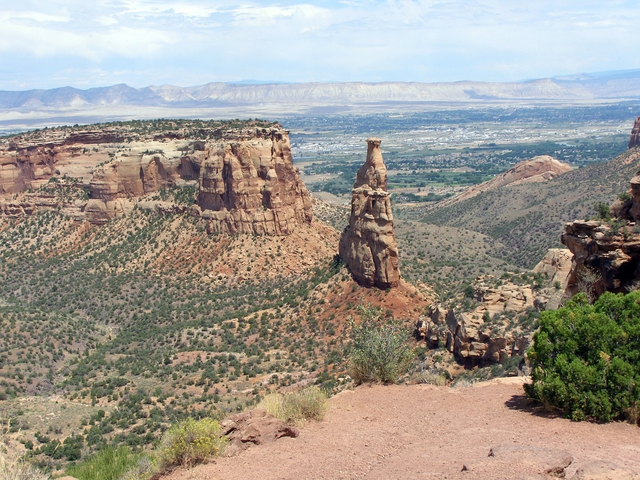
<point>244,174</point>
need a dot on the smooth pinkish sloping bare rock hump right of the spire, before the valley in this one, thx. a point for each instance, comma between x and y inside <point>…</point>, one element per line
<point>538,169</point>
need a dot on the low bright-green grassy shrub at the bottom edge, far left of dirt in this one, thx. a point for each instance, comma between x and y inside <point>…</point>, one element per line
<point>109,464</point>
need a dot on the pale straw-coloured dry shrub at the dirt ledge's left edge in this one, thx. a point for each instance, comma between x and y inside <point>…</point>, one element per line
<point>308,404</point>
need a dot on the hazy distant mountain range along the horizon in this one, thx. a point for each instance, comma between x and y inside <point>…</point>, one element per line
<point>608,85</point>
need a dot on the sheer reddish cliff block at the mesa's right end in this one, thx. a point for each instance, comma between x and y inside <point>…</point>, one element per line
<point>252,187</point>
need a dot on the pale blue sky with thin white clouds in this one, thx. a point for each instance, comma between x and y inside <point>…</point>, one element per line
<point>90,43</point>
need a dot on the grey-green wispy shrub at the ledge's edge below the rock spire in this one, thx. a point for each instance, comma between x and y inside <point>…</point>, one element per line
<point>379,352</point>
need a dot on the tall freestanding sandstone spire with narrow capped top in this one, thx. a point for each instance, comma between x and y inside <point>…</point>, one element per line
<point>368,245</point>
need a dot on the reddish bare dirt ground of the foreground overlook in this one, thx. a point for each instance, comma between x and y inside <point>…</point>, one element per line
<point>424,431</point>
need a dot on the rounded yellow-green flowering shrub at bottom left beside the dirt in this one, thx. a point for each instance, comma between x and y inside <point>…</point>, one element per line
<point>190,442</point>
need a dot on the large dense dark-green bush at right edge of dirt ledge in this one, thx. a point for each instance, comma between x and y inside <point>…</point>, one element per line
<point>586,358</point>
